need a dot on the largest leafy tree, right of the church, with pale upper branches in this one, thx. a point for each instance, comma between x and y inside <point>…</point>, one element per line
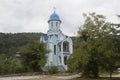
<point>97,47</point>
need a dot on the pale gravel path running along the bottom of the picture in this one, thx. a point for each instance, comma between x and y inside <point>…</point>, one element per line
<point>47,77</point>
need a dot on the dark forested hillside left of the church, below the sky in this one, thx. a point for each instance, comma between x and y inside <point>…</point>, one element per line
<point>9,42</point>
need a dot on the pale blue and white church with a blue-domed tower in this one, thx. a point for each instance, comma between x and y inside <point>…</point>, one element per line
<point>59,45</point>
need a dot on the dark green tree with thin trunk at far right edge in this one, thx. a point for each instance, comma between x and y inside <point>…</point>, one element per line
<point>111,51</point>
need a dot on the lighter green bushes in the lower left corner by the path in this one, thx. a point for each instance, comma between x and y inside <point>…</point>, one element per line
<point>9,65</point>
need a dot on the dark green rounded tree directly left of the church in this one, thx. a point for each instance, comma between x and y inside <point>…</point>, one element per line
<point>33,56</point>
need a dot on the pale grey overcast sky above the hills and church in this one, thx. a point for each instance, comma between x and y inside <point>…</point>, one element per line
<point>32,15</point>
